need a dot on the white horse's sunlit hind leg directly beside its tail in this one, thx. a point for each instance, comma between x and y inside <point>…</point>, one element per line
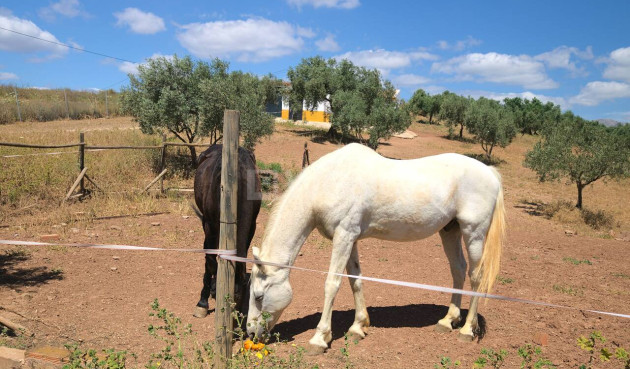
<point>474,244</point>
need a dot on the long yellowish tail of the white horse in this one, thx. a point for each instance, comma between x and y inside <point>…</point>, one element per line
<point>488,268</point>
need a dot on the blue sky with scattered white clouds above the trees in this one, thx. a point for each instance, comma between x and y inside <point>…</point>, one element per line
<point>573,53</point>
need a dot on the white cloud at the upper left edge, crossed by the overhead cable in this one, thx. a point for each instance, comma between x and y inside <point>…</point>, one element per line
<point>14,42</point>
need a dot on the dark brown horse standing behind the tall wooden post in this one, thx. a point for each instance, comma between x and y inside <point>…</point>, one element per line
<point>208,200</point>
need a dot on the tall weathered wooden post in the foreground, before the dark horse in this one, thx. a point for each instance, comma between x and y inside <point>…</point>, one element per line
<point>224,321</point>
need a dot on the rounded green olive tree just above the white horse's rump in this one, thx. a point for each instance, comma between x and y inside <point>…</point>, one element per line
<point>491,123</point>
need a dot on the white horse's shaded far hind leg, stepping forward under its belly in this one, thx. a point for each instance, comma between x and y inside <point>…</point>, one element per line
<point>451,239</point>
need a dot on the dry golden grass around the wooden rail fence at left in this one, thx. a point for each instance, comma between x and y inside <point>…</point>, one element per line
<point>35,185</point>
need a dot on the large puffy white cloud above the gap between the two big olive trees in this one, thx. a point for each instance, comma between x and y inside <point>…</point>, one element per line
<point>249,40</point>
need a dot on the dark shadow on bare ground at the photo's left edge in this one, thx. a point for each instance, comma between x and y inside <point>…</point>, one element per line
<point>14,277</point>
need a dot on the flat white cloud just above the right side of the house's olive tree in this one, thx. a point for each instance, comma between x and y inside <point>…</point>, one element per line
<point>384,60</point>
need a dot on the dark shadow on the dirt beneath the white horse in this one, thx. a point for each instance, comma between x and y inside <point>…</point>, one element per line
<point>410,316</point>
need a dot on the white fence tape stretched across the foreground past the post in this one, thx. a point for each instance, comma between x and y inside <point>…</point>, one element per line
<point>231,255</point>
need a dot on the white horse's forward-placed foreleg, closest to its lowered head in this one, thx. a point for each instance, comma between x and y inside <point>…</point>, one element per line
<point>342,248</point>
